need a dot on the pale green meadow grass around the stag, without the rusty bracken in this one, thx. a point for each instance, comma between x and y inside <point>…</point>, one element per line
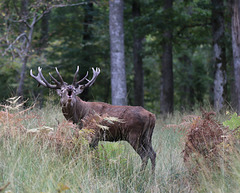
<point>32,166</point>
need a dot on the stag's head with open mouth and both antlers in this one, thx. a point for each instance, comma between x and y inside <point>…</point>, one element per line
<point>67,92</point>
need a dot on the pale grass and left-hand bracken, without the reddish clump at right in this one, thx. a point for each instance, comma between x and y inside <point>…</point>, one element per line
<point>40,154</point>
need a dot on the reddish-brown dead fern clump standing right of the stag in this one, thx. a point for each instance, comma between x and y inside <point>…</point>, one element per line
<point>205,142</point>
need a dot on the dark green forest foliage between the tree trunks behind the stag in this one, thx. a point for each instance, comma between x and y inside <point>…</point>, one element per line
<point>79,35</point>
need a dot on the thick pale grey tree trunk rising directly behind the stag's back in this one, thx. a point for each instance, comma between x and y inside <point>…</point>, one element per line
<point>118,74</point>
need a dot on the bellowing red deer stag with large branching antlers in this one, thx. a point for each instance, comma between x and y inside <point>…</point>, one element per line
<point>136,128</point>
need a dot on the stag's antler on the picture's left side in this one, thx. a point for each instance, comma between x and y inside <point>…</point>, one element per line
<point>42,81</point>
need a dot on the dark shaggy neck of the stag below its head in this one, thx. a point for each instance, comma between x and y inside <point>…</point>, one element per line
<point>76,112</point>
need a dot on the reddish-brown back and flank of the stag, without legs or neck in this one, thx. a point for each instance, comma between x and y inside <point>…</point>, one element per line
<point>135,120</point>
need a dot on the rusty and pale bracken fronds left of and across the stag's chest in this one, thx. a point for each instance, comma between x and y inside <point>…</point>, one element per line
<point>65,136</point>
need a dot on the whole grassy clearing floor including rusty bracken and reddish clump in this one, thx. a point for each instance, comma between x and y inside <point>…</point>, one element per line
<point>206,141</point>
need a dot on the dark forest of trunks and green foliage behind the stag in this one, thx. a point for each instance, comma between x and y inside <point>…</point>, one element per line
<point>177,55</point>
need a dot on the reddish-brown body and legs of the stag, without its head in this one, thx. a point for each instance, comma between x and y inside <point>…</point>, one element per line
<point>136,127</point>
